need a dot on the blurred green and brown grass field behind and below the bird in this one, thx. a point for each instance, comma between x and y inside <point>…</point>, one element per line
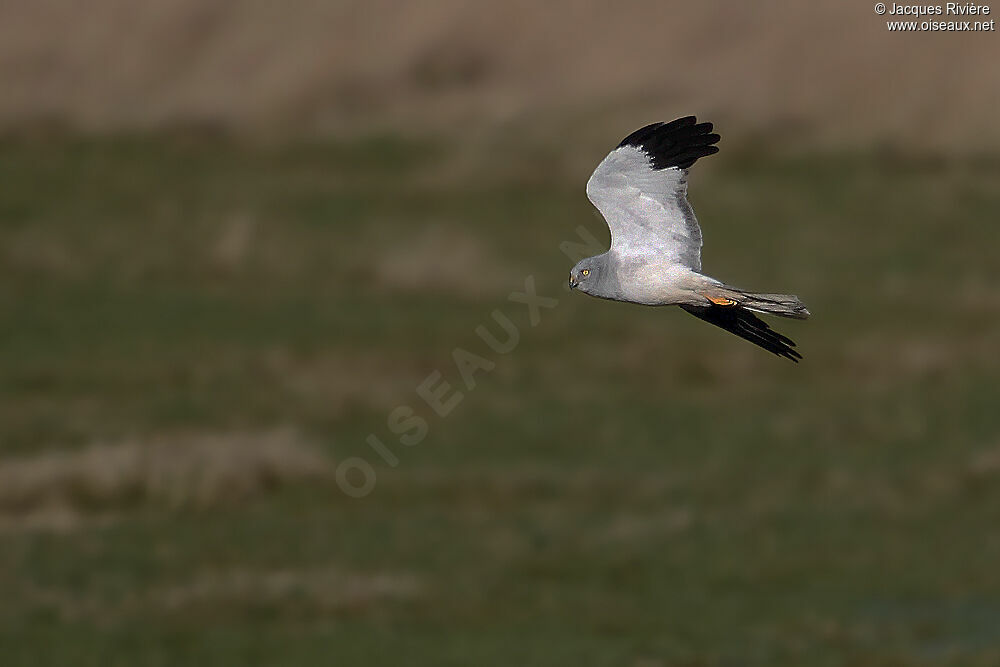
<point>195,330</point>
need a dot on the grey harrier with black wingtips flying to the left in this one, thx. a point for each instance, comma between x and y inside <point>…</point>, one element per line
<point>655,257</point>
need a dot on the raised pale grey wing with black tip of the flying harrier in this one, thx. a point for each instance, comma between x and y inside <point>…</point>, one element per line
<point>641,190</point>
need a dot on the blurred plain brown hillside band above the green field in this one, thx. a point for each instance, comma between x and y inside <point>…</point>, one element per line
<point>828,71</point>
